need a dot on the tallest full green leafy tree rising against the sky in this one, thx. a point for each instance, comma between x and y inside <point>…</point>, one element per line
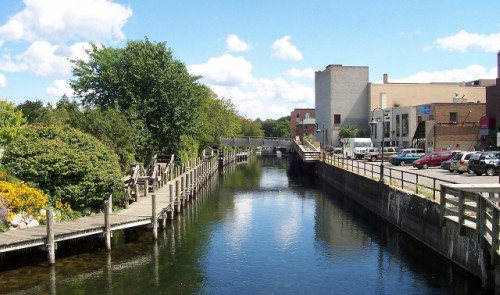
<point>147,83</point>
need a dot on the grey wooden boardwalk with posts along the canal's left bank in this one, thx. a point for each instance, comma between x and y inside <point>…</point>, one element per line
<point>163,202</point>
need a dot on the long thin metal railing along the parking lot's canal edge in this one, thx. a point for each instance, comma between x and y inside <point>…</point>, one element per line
<point>420,184</point>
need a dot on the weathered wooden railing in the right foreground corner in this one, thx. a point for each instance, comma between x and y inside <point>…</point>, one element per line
<point>474,207</point>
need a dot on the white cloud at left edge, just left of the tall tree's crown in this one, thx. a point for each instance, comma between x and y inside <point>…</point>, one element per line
<point>44,59</point>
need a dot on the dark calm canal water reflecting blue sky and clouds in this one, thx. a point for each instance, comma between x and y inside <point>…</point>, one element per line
<point>256,230</point>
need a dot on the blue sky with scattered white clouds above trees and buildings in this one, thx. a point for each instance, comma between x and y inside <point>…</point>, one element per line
<point>262,55</point>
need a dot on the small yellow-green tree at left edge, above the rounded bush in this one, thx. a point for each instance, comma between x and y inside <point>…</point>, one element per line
<point>11,122</point>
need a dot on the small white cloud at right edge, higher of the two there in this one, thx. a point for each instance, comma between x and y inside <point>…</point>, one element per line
<point>463,40</point>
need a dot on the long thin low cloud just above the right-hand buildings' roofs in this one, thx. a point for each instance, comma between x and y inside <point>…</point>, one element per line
<point>470,73</point>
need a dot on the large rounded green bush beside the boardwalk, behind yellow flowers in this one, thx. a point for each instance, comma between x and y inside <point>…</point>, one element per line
<point>69,165</point>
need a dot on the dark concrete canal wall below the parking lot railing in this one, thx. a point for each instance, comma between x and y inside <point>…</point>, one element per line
<point>413,214</point>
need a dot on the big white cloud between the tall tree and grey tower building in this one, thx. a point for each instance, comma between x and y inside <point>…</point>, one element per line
<point>264,98</point>
